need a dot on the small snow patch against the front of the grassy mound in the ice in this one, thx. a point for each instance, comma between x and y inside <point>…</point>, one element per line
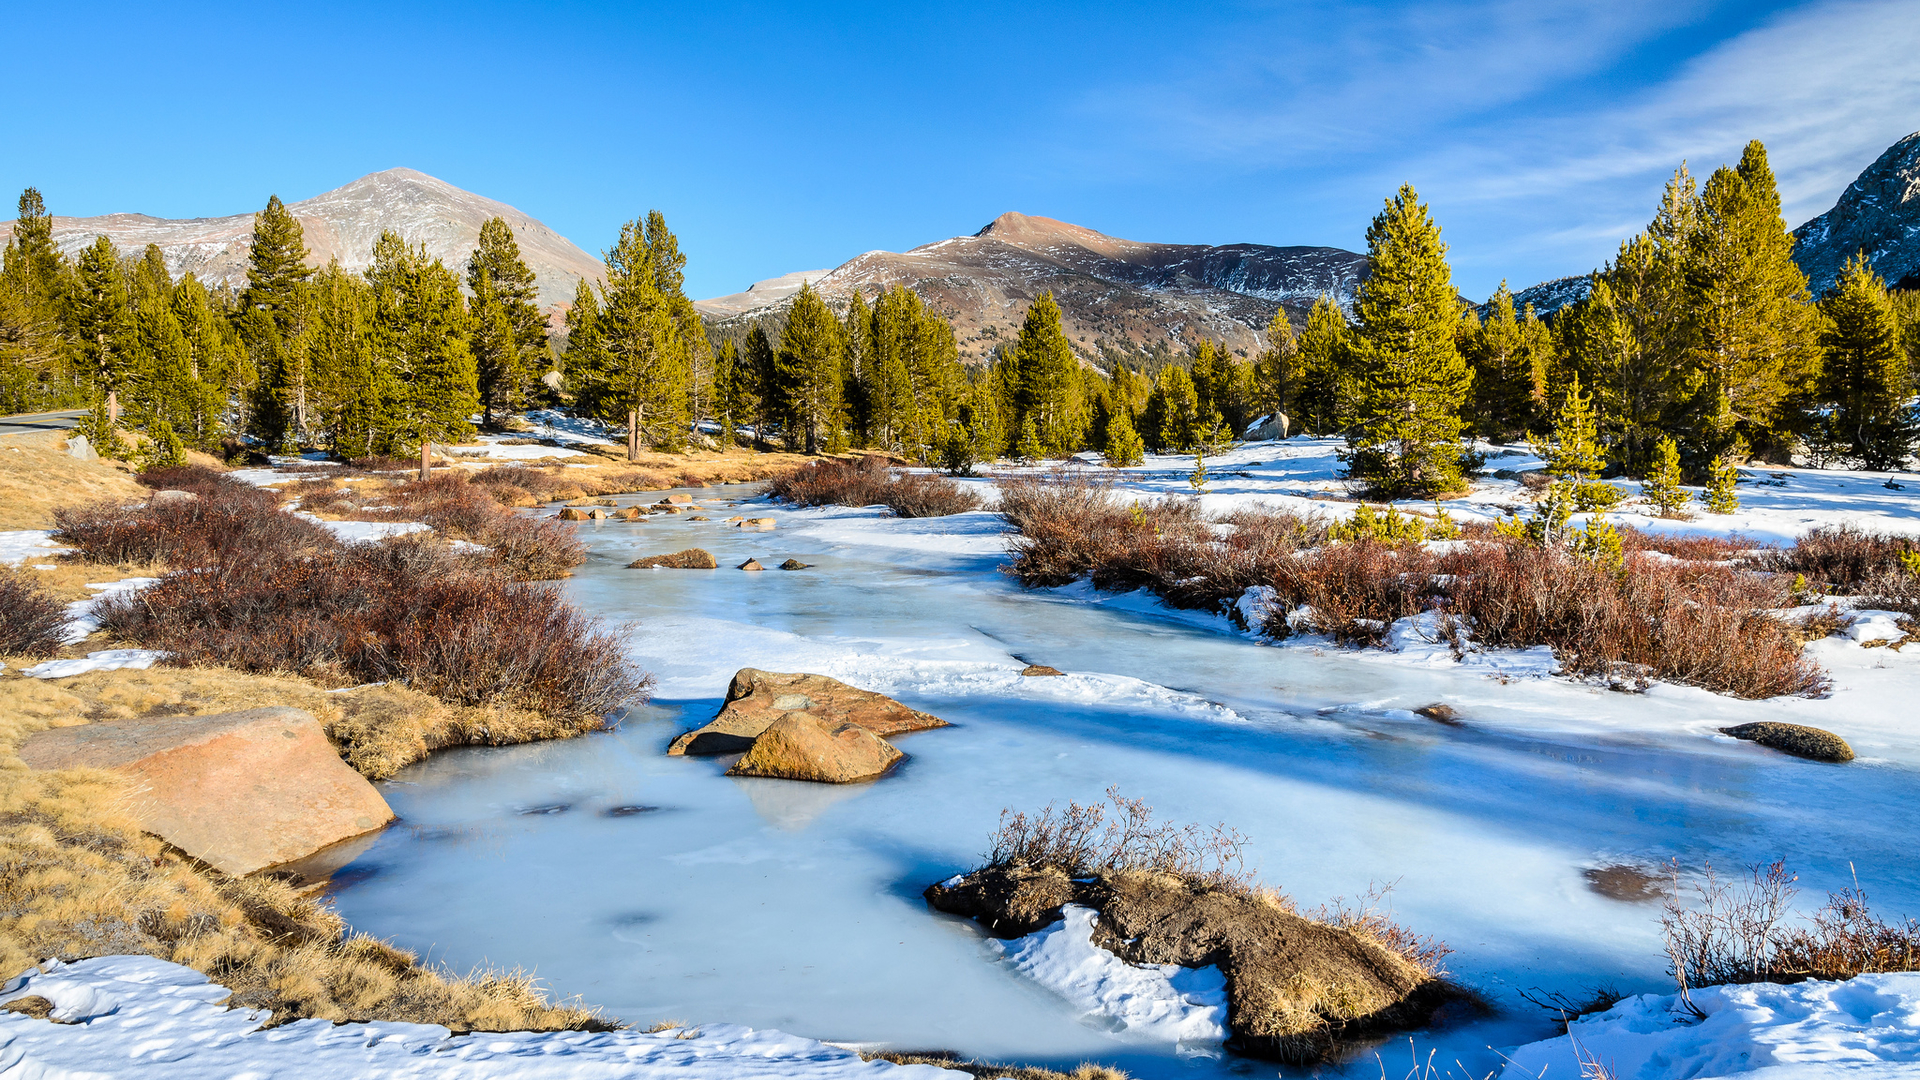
<point>1159,1002</point>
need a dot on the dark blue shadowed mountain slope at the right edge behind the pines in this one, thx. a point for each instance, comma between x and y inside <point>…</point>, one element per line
<point>1879,214</point>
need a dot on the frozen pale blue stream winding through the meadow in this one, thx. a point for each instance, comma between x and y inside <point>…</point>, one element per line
<point>798,908</point>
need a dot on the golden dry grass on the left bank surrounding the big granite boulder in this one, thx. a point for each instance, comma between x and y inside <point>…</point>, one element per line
<point>80,879</point>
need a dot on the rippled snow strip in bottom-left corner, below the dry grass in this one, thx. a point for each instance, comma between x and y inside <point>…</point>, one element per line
<point>133,1018</point>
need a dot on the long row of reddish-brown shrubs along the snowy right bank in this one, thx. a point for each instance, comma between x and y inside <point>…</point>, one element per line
<point>1683,612</point>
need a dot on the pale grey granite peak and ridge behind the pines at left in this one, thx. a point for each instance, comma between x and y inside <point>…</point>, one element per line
<point>343,226</point>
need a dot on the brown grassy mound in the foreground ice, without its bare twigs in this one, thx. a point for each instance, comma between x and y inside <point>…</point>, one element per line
<point>1297,989</point>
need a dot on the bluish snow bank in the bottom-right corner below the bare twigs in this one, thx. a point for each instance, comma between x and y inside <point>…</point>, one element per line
<point>1863,1027</point>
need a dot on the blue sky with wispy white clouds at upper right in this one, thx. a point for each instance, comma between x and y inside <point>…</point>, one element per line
<point>798,135</point>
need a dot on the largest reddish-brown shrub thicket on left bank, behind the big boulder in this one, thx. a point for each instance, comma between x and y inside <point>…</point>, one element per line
<point>404,610</point>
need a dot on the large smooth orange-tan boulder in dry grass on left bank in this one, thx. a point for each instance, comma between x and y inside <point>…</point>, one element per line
<point>237,791</point>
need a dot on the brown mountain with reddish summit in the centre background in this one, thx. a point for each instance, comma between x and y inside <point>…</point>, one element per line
<point>1124,293</point>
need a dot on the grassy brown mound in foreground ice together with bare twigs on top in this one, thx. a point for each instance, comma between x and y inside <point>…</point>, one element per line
<point>1299,987</point>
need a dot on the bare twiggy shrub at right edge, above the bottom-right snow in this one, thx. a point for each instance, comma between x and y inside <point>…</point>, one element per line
<point>1742,931</point>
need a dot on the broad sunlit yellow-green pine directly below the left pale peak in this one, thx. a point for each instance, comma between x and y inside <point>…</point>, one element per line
<point>420,339</point>
